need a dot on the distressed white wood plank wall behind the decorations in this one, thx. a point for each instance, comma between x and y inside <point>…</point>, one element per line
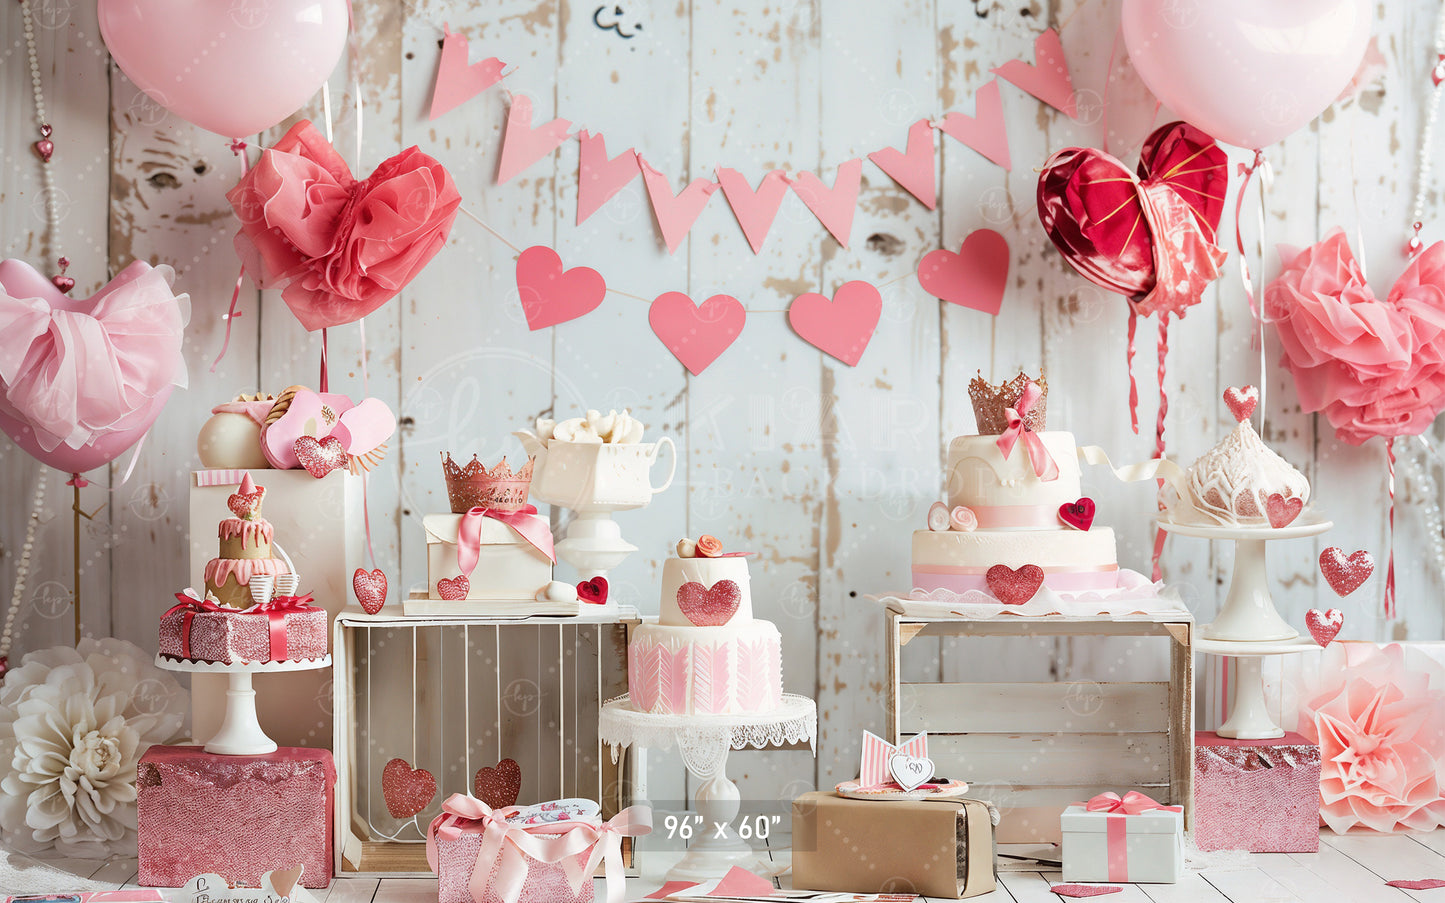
<point>819,467</point>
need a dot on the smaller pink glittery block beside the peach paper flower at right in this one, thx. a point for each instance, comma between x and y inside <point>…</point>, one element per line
<point>1256,795</point>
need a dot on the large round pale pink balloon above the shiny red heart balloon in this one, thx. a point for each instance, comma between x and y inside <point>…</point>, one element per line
<point>1248,73</point>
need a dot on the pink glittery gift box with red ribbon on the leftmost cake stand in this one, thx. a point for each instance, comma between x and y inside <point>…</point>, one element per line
<point>236,636</point>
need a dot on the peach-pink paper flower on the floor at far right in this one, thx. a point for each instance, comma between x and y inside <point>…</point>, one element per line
<point>1381,726</point>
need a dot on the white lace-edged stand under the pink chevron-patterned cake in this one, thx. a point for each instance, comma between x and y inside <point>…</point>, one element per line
<point>704,742</point>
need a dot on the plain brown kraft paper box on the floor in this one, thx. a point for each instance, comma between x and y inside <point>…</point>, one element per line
<point>939,849</point>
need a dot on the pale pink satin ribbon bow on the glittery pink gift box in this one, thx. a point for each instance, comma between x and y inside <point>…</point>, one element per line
<point>509,849</point>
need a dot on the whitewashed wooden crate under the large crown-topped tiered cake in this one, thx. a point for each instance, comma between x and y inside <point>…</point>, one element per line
<point>1041,746</point>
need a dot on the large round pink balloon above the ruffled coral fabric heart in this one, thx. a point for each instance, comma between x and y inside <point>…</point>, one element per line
<point>232,67</point>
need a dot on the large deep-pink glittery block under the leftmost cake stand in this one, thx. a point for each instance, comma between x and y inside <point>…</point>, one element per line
<point>238,817</point>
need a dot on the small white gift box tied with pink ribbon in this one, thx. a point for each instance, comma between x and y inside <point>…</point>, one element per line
<point>1132,840</point>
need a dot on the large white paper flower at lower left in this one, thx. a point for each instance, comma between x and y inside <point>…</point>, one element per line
<point>73,727</point>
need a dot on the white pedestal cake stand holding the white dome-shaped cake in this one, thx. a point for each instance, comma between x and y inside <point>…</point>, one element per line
<point>1249,615</point>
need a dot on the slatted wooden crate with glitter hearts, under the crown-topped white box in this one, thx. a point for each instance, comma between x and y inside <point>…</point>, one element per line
<point>459,694</point>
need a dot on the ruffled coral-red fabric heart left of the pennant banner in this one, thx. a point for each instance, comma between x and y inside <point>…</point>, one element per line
<point>339,248</point>
